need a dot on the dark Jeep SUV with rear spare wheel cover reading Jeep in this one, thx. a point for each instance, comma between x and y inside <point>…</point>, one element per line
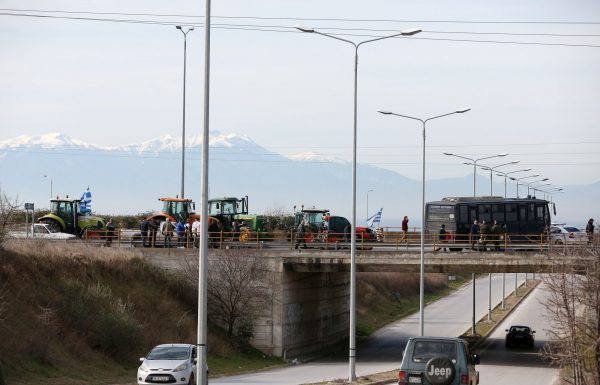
<point>438,361</point>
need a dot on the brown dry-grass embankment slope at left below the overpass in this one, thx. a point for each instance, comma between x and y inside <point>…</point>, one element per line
<point>73,314</point>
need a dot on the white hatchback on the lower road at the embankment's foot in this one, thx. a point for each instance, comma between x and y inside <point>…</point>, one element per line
<point>168,364</point>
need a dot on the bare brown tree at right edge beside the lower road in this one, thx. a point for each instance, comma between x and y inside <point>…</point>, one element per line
<point>574,313</point>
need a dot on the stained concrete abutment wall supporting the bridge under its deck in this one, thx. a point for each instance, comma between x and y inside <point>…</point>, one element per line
<point>308,312</point>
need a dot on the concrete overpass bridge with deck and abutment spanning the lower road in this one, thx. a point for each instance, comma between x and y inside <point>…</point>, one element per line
<point>308,291</point>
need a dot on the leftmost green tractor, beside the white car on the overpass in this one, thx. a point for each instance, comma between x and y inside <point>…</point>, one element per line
<point>65,217</point>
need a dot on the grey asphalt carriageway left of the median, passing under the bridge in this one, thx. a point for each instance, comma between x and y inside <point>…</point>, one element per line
<point>449,316</point>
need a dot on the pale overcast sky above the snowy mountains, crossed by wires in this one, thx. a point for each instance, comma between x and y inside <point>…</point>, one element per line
<point>533,85</point>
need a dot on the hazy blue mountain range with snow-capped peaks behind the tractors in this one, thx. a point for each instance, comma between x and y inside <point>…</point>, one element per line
<point>129,179</point>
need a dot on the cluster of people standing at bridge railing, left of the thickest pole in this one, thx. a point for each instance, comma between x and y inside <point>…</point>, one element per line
<point>184,233</point>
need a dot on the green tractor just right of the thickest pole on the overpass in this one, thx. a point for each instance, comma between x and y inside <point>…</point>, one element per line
<point>229,209</point>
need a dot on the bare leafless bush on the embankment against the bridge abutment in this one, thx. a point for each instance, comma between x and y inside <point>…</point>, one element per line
<point>236,288</point>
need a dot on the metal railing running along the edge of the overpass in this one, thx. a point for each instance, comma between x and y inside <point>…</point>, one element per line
<point>397,241</point>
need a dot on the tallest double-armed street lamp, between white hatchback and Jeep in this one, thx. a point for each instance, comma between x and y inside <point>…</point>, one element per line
<point>352,347</point>
